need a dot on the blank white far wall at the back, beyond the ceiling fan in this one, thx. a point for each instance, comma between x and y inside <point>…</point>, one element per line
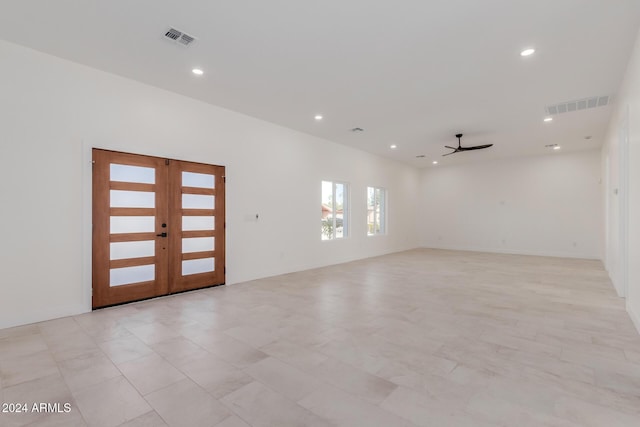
<point>544,205</point>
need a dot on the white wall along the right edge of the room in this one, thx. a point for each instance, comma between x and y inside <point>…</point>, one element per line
<point>626,115</point>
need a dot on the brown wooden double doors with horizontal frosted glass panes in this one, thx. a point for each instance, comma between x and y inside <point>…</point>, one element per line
<point>158,226</point>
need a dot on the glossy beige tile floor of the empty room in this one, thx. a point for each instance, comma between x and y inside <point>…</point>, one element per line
<point>419,338</point>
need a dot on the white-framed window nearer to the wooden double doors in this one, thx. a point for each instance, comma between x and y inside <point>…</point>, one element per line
<point>334,210</point>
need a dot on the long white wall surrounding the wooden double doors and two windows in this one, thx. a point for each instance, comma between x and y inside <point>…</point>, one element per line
<point>53,111</point>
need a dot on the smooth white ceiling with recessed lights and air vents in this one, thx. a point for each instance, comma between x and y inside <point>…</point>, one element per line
<point>409,72</point>
